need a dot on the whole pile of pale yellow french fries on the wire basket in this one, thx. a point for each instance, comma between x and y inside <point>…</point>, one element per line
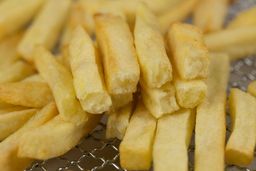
<point>156,78</point>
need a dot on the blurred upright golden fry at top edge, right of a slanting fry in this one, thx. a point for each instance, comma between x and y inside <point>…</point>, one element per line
<point>210,15</point>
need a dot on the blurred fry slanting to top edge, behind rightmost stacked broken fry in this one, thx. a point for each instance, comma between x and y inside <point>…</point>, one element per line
<point>177,14</point>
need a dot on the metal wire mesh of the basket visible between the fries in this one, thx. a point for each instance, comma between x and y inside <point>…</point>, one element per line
<point>95,153</point>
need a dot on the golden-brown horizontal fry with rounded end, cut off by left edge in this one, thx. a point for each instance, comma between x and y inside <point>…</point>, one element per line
<point>28,94</point>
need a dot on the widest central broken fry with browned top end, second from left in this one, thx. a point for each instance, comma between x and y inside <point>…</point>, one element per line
<point>119,57</point>
